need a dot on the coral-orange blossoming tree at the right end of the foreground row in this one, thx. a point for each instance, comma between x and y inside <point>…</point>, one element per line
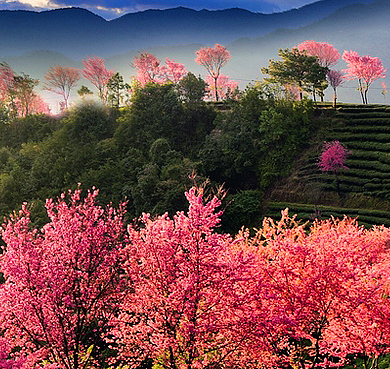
<point>326,280</point>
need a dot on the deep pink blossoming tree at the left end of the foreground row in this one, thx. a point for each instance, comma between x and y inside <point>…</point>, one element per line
<point>61,282</point>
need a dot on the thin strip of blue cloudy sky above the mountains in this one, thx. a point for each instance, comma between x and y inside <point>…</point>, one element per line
<point>110,9</point>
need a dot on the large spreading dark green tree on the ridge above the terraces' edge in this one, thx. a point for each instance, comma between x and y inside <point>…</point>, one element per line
<point>297,68</point>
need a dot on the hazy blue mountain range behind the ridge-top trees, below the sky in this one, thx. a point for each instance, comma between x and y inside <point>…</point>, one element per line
<point>32,42</point>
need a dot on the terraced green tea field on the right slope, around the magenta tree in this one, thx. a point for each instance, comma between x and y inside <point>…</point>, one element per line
<point>363,190</point>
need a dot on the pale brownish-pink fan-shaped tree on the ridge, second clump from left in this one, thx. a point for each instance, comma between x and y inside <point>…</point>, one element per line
<point>61,80</point>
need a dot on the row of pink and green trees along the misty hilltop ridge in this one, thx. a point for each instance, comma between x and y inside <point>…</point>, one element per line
<point>305,68</point>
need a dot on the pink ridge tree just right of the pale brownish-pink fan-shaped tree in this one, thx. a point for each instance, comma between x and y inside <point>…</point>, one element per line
<point>95,71</point>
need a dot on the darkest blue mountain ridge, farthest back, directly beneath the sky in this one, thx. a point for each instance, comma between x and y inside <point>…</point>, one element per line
<point>77,32</point>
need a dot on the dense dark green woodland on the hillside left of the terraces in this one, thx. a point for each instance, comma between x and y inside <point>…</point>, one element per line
<point>148,152</point>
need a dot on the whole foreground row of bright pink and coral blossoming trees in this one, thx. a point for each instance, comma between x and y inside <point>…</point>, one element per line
<point>178,292</point>
